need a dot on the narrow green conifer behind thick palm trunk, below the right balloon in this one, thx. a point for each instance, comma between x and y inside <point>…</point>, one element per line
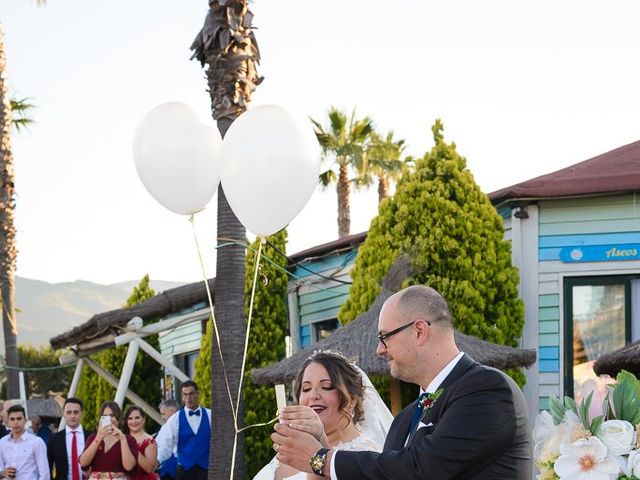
<point>269,327</point>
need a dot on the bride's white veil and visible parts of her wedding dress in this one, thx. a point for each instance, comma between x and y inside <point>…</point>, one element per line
<point>373,431</point>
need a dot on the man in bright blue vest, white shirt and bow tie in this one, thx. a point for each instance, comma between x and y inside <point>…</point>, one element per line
<point>188,433</point>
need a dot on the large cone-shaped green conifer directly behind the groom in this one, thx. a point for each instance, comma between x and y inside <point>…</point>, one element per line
<point>442,219</point>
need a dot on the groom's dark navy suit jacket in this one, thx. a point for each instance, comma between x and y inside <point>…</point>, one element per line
<point>477,429</point>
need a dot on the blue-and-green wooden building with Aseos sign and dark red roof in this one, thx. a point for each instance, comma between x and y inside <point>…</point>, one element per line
<point>575,236</point>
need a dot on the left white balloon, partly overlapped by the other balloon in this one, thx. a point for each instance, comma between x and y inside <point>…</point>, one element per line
<point>177,158</point>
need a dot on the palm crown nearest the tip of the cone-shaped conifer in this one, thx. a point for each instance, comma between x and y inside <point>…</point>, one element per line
<point>383,163</point>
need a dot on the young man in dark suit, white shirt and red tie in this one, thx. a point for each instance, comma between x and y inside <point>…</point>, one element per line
<point>61,451</point>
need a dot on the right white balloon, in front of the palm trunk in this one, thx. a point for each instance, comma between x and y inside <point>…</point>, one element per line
<point>270,167</point>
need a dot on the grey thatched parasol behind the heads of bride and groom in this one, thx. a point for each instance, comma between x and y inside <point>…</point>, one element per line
<point>358,340</point>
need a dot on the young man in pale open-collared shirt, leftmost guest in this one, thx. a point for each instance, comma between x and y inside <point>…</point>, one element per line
<point>23,456</point>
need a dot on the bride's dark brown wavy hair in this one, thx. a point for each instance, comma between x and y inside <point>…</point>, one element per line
<point>344,377</point>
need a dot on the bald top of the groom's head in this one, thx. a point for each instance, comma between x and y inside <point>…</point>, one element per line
<point>419,301</point>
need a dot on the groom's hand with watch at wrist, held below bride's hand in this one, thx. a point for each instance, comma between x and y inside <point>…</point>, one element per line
<point>294,448</point>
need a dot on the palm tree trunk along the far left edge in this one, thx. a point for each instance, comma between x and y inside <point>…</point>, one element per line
<point>8,251</point>
